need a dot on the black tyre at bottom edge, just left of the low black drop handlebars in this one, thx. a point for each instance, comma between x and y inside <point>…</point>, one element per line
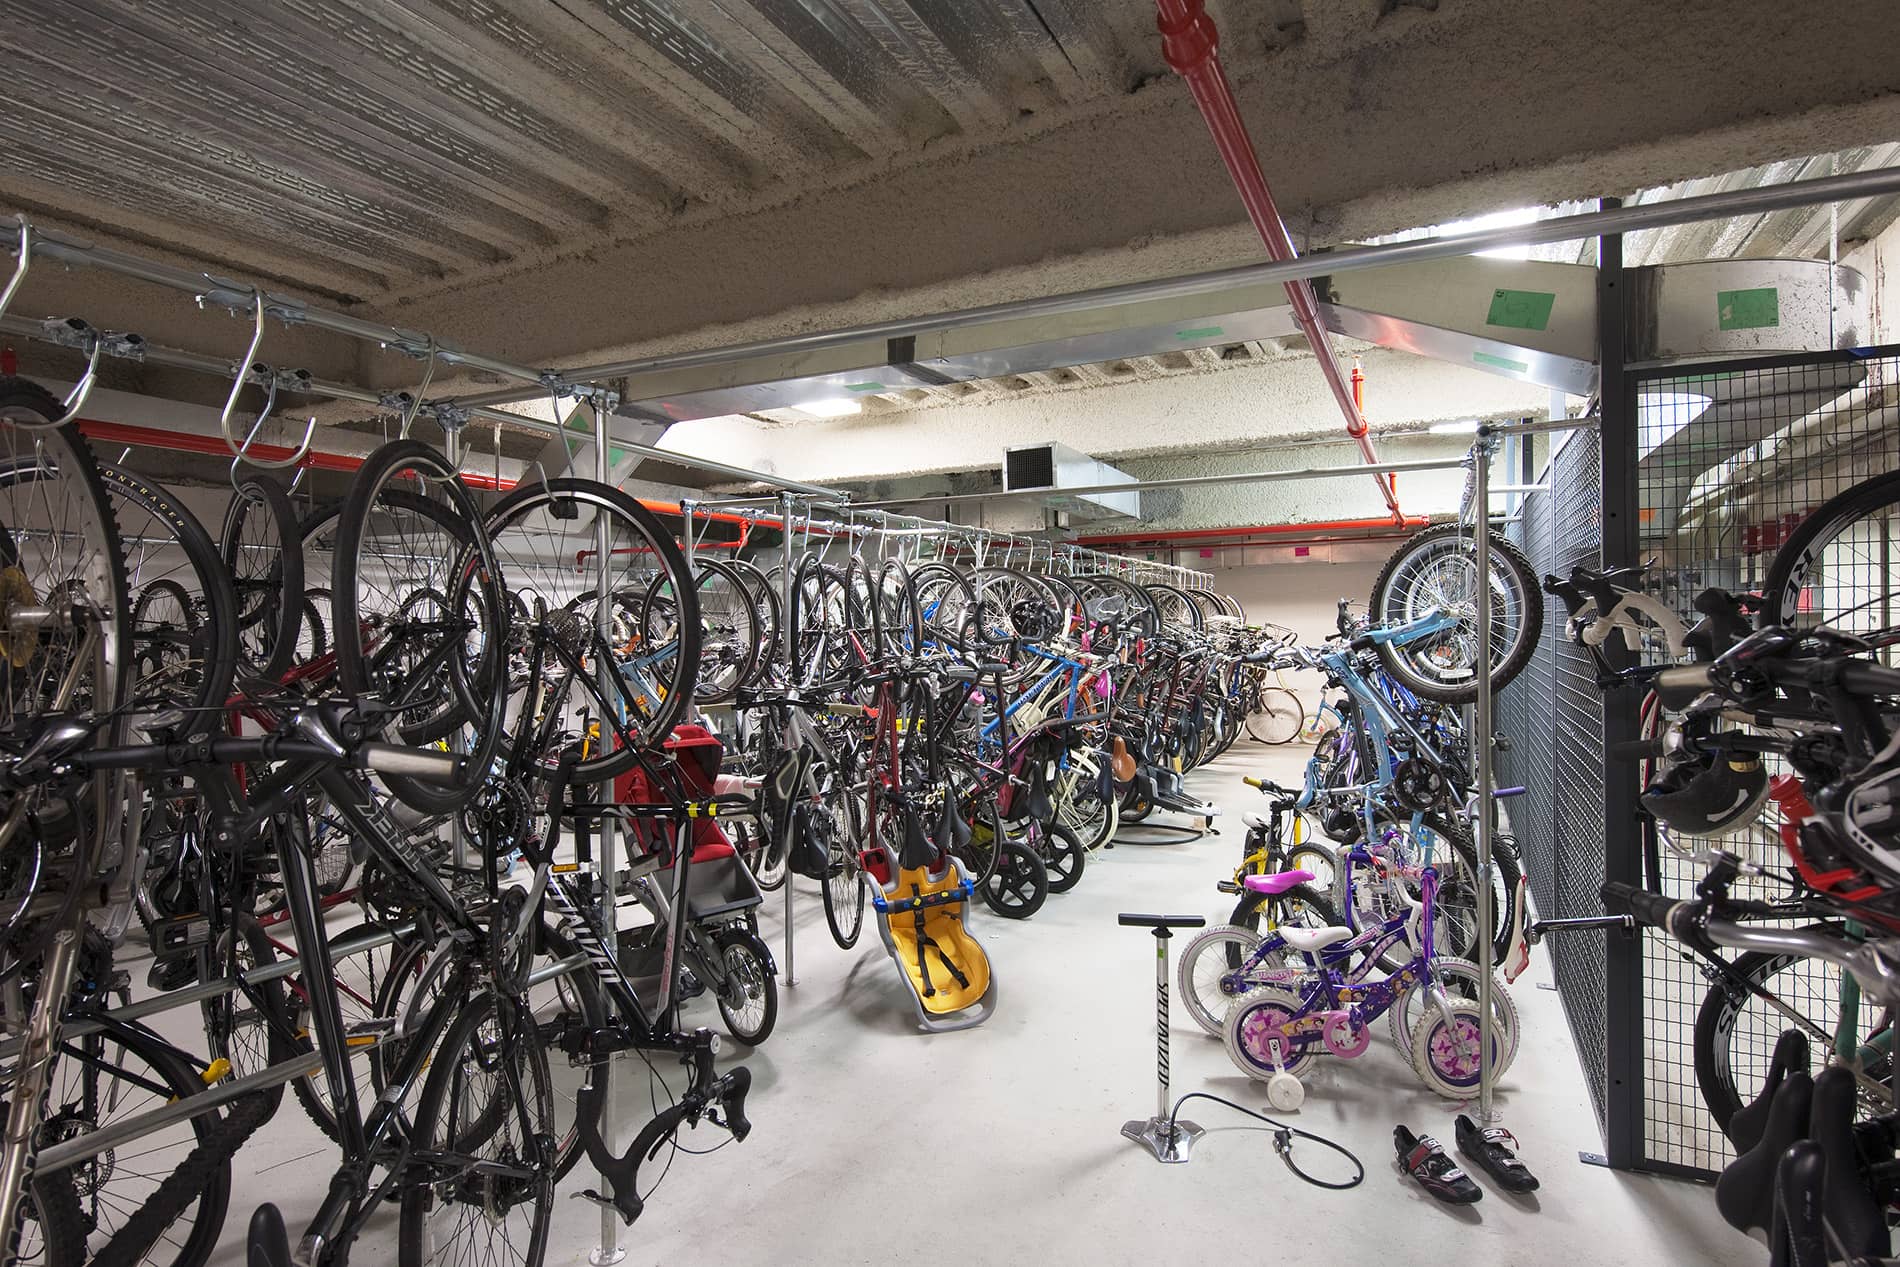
<point>447,1087</point>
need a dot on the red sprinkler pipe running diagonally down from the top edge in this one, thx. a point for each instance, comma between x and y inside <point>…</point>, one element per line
<point>1192,48</point>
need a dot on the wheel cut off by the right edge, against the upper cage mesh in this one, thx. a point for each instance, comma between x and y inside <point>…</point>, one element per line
<point>1838,567</point>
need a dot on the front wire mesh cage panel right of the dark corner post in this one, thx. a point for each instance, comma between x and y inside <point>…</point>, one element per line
<point>1732,459</point>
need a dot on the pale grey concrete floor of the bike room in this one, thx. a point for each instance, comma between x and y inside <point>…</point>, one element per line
<point>875,1143</point>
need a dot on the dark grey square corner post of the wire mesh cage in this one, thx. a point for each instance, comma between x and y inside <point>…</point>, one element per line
<point>1624,953</point>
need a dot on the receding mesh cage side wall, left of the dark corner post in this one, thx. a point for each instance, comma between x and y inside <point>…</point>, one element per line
<point>1555,725</point>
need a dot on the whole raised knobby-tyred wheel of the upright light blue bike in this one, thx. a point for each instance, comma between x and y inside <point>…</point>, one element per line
<point>1435,571</point>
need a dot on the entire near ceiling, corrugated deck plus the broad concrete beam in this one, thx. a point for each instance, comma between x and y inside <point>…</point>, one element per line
<point>571,181</point>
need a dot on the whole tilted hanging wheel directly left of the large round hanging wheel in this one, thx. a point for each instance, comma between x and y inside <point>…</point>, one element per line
<point>421,615</point>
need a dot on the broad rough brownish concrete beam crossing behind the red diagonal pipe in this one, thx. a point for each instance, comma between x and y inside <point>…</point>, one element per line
<point>1420,117</point>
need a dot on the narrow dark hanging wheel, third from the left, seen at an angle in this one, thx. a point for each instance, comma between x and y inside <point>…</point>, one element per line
<point>261,546</point>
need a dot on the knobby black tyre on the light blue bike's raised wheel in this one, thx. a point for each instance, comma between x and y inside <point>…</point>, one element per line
<point>1456,683</point>
